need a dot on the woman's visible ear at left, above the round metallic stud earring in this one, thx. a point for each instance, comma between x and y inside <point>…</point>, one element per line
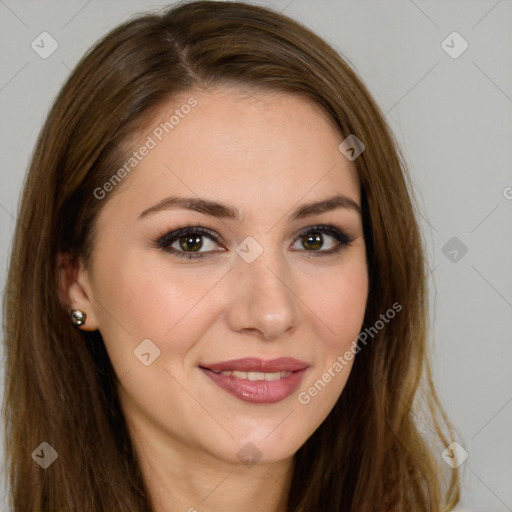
<point>74,290</point>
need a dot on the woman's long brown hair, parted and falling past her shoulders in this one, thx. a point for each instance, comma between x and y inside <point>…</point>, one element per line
<point>369,453</point>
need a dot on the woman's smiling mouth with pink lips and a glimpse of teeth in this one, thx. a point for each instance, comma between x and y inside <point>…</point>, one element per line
<point>255,380</point>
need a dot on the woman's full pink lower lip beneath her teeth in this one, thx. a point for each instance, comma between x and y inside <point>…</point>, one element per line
<point>257,391</point>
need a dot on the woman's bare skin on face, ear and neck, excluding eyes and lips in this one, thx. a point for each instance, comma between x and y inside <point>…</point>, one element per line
<point>264,154</point>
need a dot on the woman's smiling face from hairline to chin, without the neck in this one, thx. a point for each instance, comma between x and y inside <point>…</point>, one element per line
<point>225,336</point>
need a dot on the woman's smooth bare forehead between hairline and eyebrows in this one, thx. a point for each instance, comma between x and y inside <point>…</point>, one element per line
<point>252,149</point>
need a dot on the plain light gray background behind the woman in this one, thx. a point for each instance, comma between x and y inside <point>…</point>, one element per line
<point>453,119</point>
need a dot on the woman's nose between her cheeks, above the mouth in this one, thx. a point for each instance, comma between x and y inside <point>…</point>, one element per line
<point>262,301</point>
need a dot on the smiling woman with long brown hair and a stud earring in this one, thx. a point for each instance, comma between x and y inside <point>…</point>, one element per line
<point>217,291</point>
